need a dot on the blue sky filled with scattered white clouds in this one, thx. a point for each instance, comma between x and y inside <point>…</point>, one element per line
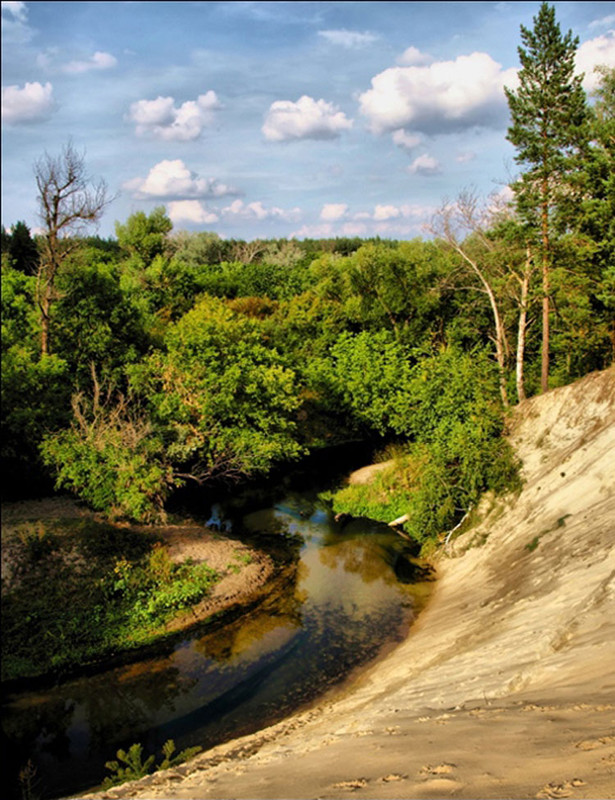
<point>273,119</point>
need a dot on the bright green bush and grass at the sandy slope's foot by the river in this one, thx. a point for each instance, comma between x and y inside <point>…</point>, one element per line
<point>457,450</point>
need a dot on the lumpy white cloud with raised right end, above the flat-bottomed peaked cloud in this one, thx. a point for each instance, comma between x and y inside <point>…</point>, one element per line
<point>162,119</point>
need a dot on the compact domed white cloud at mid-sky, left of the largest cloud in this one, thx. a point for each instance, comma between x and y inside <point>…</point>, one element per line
<point>305,119</point>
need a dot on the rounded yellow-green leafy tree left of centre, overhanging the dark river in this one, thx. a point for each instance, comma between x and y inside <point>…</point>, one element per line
<point>224,401</point>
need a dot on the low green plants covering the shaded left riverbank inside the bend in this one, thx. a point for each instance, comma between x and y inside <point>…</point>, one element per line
<point>85,590</point>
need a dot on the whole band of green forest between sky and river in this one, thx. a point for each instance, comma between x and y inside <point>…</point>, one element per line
<point>134,364</point>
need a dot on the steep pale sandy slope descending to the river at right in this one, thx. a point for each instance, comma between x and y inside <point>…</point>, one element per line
<point>506,685</point>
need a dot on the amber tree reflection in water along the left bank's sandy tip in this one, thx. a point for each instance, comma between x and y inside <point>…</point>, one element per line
<point>282,609</point>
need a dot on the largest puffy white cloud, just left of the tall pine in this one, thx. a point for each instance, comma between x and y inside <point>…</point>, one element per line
<point>446,96</point>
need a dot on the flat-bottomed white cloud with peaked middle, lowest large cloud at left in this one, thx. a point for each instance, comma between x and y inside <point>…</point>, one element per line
<point>174,179</point>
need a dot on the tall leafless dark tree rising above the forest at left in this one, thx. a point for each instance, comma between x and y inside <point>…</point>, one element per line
<point>69,200</point>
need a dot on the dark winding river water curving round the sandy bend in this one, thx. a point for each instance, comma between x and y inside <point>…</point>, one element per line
<point>342,606</point>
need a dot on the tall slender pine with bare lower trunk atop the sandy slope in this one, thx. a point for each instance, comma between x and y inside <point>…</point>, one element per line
<point>549,114</point>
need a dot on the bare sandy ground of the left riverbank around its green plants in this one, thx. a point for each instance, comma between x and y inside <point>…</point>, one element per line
<point>46,536</point>
